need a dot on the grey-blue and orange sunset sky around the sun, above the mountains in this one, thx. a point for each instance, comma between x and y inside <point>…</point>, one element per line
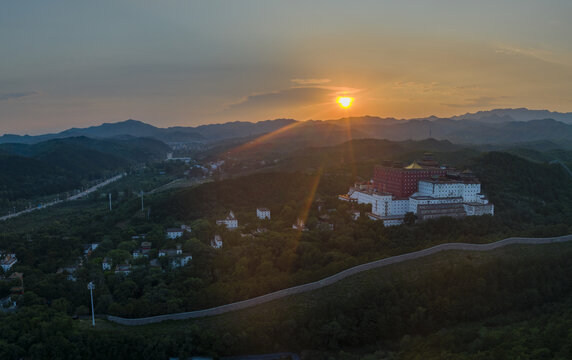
<point>184,63</point>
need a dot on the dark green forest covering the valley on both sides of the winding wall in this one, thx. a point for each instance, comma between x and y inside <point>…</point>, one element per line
<point>389,315</point>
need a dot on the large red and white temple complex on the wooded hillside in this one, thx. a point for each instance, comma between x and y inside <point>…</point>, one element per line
<point>423,188</point>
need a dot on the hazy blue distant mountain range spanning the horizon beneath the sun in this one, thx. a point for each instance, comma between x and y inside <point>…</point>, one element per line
<point>498,126</point>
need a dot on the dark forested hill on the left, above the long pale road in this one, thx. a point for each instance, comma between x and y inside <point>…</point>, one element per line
<point>59,165</point>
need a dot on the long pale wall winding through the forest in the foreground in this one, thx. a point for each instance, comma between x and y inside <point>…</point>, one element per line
<point>335,278</point>
